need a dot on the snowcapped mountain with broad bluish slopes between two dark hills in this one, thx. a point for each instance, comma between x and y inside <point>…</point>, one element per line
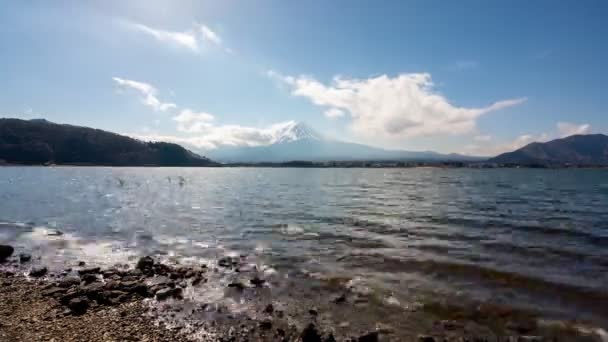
<point>297,141</point>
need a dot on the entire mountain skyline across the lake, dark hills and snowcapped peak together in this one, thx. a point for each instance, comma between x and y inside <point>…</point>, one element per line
<point>42,142</point>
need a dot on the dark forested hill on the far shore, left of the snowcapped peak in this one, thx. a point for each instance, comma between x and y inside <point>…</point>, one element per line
<point>41,142</point>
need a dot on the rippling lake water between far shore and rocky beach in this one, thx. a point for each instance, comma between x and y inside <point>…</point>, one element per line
<point>529,238</point>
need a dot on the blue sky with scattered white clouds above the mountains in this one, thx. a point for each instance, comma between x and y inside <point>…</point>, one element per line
<point>474,77</point>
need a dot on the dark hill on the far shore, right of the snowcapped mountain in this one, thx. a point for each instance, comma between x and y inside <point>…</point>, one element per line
<point>577,150</point>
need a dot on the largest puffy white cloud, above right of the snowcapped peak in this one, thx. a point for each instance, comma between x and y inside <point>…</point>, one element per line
<point>404,106</point>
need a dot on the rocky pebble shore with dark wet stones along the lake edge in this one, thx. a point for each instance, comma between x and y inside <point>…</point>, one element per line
<point>148,301</point>
